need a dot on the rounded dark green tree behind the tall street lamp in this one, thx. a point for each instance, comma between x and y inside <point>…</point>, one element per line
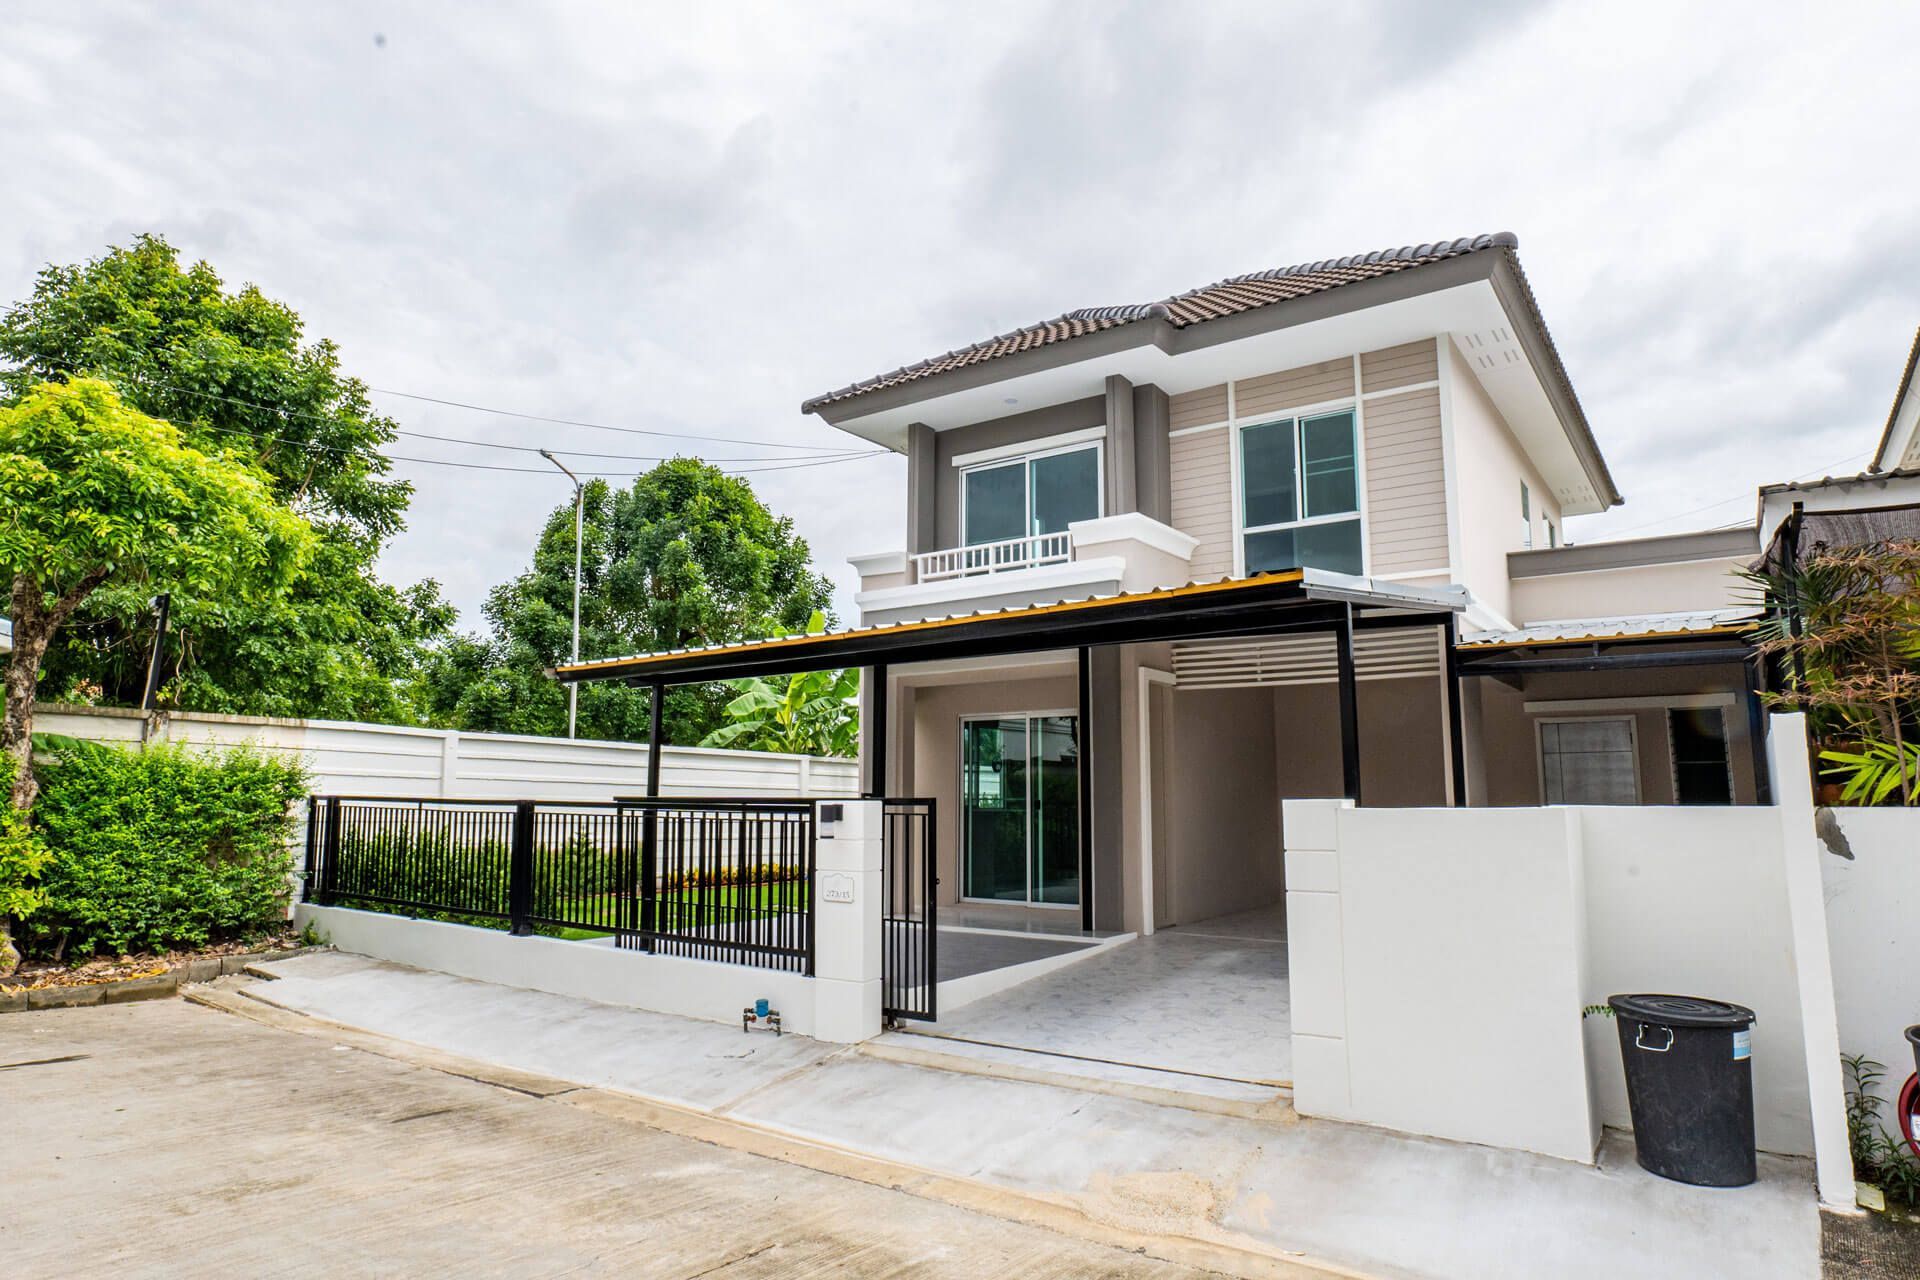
<point>688,556</point>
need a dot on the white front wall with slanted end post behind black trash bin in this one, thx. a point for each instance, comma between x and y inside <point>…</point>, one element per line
<point>1441,959</point>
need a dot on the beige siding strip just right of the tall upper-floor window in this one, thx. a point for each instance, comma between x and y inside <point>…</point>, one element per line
<point>1406,481</point>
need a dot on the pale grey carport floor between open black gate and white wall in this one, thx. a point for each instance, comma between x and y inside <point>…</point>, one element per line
<point>1205,999</point>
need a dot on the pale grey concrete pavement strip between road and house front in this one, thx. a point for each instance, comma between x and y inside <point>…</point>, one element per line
<point>1262,1185</point>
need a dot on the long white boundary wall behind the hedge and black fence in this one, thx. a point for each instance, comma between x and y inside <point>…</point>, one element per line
<point>443,765</point>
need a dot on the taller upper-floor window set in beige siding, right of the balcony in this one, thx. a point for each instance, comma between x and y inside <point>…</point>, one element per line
<point>1301,494</point>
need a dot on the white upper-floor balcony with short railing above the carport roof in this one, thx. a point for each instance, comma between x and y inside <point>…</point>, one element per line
<point>1092,557</point>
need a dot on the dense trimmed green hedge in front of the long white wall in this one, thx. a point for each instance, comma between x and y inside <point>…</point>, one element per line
<point>160,847</point>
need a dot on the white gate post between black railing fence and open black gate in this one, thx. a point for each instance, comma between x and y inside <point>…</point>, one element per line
<point>848,920</point>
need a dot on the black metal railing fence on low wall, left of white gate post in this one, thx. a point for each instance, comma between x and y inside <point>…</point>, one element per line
<point>708,878</point>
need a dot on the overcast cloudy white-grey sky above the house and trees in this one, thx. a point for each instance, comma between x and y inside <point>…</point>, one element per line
<point>690,218</point>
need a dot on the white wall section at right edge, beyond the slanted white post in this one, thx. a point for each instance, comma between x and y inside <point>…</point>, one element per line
<point>1873,911</point>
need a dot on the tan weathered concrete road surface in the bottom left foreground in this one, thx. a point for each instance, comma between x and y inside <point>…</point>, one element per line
<point>174,1141</point>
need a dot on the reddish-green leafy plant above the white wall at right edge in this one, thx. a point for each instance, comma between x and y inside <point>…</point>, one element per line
<point>1846,628</point>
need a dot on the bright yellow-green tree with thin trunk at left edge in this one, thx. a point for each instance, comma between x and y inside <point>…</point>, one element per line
<point>95,496</point>
